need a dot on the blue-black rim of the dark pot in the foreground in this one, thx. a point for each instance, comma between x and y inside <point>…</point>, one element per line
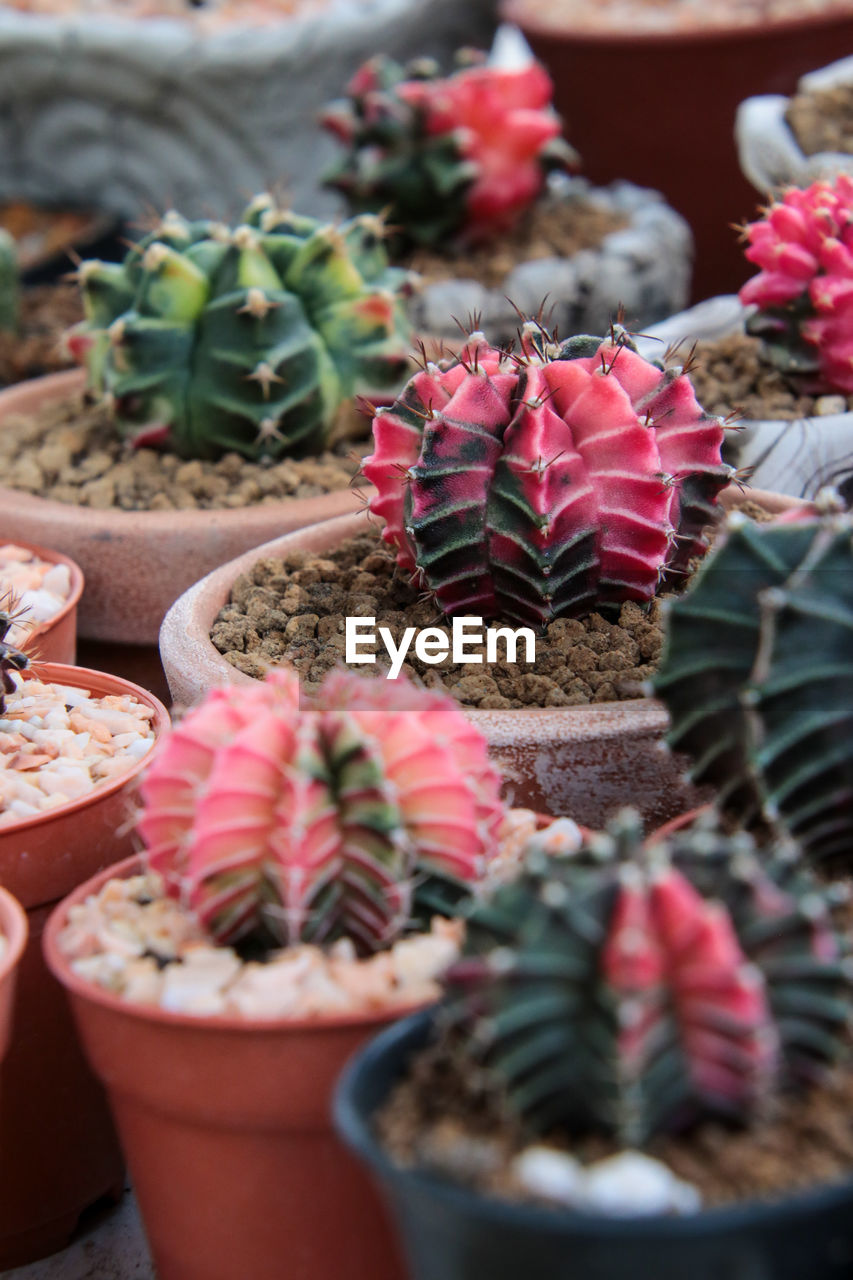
<point>355,1130</point>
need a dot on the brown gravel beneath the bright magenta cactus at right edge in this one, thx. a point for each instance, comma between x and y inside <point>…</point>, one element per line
<point>729,377</point>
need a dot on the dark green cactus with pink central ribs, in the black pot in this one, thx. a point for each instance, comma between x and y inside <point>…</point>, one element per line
<point>633,988</point>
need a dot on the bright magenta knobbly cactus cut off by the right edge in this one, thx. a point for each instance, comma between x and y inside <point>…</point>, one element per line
<point>805,290</point>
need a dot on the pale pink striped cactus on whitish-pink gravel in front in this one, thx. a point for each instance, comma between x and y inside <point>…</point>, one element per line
<point>282,821</point>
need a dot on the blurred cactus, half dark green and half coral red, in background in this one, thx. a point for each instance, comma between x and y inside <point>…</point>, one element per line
<point>446,158</point>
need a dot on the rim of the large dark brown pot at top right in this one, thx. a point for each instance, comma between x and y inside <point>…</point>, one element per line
<point>519,13</point>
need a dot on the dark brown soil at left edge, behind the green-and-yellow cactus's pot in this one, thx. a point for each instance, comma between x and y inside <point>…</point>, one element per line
<point>47,313</point>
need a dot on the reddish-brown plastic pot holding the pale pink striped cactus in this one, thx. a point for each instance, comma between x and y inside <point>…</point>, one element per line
<point>226,1124</point>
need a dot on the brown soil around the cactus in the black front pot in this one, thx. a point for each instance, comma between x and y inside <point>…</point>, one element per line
<point>446,1119</point>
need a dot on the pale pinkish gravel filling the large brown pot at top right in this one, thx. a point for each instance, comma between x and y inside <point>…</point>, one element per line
<point>647,16</point>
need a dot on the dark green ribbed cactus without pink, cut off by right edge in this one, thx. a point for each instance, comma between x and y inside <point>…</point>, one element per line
<point>758,675</point>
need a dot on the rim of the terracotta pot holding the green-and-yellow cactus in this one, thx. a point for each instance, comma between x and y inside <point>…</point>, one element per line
<point>115,520</point>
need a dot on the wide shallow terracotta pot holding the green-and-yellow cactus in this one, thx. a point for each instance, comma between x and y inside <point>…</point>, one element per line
<point>136,564</point>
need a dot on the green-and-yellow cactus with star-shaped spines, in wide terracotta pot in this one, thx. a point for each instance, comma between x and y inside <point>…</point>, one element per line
<point>213,340</point>
